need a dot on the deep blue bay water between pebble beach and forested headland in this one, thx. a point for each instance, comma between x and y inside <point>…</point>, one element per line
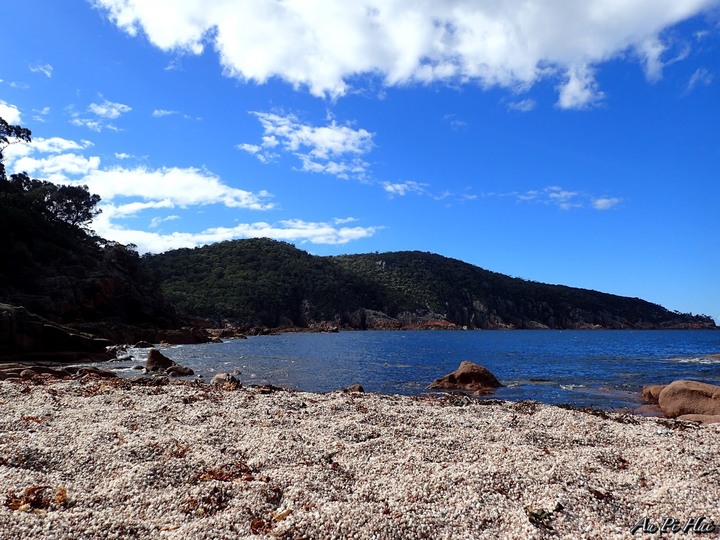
<point>595,368</point>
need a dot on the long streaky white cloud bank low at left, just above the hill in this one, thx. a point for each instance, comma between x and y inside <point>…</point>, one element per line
<point>128,192</point>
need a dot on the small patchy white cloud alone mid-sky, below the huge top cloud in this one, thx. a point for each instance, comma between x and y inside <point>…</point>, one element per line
<point>330,149</point>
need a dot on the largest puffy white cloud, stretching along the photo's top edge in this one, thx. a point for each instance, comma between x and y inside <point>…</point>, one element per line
<point>324,44</point>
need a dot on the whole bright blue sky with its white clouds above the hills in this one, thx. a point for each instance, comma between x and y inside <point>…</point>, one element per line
<point>558,141</point>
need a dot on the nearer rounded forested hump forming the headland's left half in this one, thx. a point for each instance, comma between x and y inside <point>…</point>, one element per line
<point>256,281</point>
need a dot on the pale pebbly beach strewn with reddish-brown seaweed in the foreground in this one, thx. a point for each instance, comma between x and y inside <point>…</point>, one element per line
<point>95,458</point>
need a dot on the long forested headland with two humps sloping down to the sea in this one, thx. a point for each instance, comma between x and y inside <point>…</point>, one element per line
<point>261,282</point>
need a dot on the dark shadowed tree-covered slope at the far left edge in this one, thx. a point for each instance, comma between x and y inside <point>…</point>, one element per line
<point>55,267</point>
